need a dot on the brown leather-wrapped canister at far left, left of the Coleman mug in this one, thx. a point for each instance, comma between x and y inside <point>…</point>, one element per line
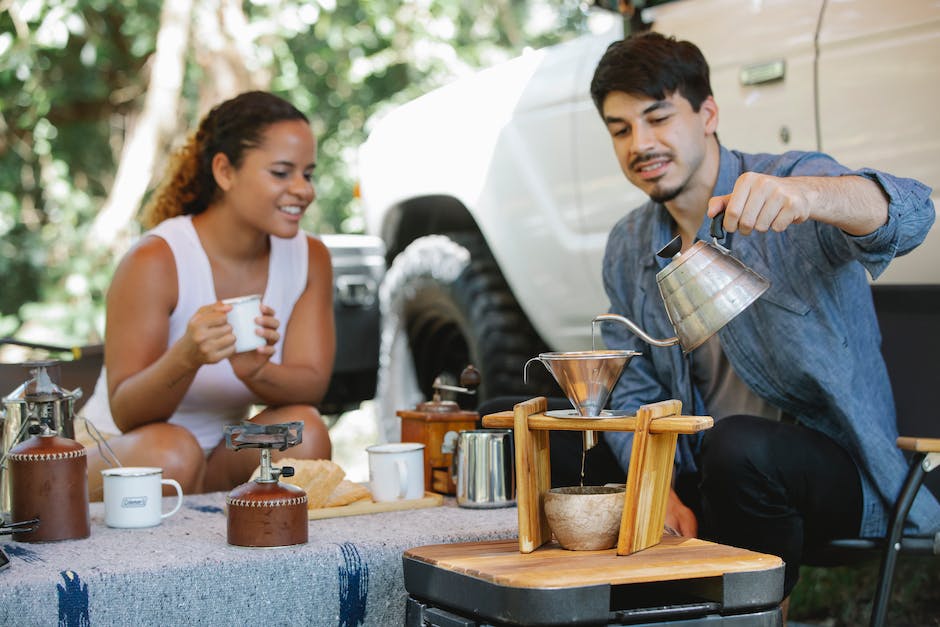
<point>48,481</point>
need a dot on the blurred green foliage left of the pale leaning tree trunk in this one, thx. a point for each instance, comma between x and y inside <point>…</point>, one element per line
<point>67,70</point>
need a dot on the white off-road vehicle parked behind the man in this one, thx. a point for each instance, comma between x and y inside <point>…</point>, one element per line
<point>494,195</point>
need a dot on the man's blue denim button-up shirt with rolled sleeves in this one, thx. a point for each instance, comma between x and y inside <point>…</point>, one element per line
<point>810,345</point>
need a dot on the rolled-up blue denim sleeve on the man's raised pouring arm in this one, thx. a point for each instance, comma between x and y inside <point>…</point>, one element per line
<point>910,215</point>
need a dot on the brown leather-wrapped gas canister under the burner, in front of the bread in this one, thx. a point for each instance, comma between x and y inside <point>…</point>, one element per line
<point>267,514</point>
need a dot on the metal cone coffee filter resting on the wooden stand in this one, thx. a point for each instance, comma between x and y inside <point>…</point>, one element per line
<point>587,377</point>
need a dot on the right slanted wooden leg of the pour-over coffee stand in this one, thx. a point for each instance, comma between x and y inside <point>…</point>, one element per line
<point>648,480</point>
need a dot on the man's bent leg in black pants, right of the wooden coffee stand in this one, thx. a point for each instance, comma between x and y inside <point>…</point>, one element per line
<point>773,487</point>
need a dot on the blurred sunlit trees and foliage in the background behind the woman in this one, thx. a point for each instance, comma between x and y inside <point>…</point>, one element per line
<point>94,94</point>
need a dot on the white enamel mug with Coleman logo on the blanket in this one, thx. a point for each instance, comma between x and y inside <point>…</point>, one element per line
<point>133,496</point>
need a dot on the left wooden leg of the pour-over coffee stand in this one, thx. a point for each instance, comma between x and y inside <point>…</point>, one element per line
<point>533,475</point>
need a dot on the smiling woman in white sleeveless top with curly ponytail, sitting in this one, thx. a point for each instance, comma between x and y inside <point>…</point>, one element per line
<point>225,223</point>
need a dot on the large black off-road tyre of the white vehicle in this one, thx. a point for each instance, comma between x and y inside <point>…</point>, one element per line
<point>445,305</point>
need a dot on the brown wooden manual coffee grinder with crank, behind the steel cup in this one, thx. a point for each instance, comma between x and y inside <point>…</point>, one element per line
<point>430,422</point>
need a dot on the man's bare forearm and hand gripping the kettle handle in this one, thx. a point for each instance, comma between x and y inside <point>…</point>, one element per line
<point>761,202</point>
